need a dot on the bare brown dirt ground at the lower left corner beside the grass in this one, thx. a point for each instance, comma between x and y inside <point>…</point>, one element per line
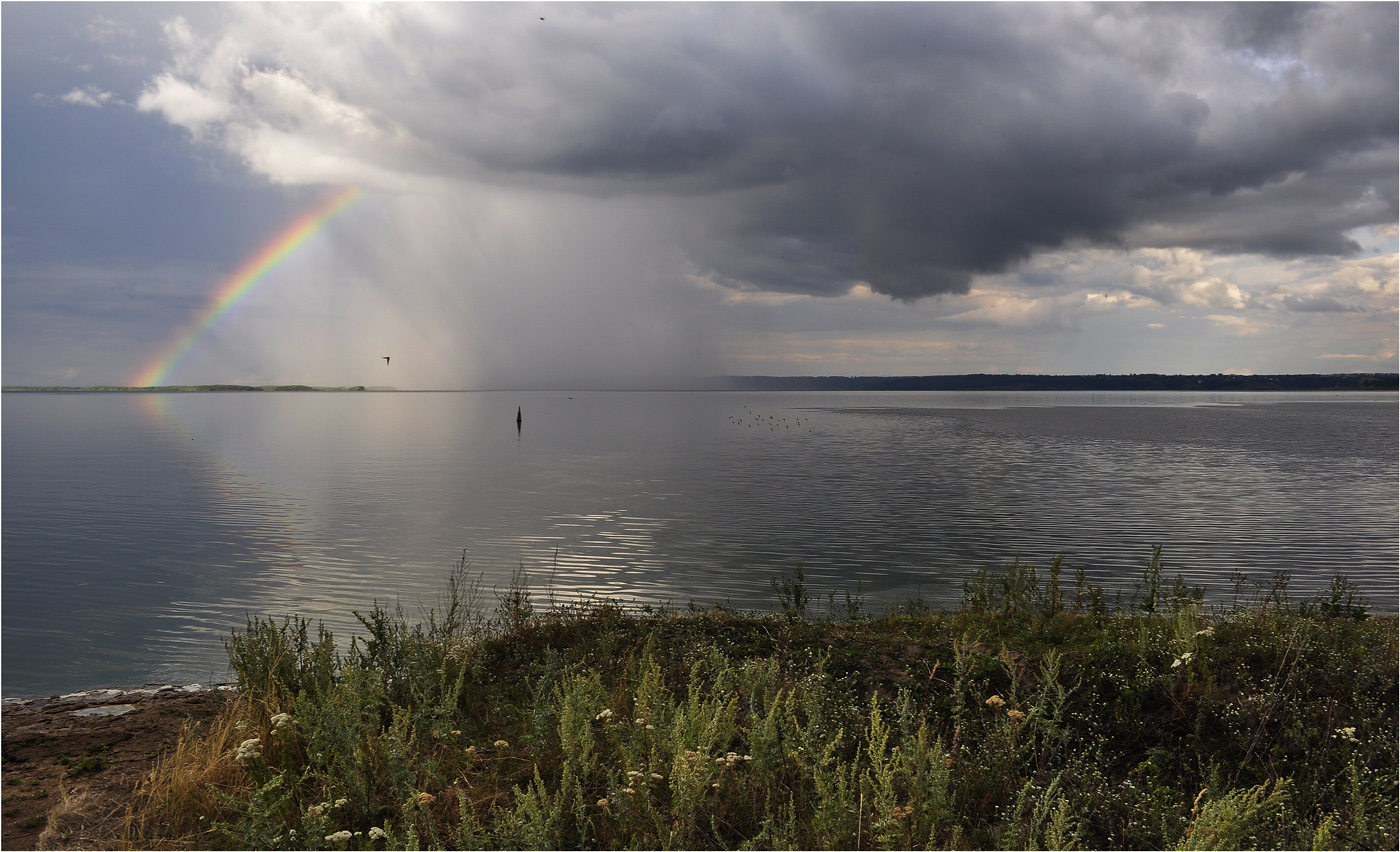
<point>85,756</point>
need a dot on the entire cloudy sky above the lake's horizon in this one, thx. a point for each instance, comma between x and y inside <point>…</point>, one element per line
<point>636,195</point>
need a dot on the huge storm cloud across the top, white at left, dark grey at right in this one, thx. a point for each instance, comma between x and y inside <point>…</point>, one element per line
<point>906,148</point>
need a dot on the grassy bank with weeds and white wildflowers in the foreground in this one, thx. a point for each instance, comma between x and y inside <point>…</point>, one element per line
<point>1034,717</point>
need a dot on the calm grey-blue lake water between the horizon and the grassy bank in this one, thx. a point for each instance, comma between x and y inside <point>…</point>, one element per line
<point>139,530</point>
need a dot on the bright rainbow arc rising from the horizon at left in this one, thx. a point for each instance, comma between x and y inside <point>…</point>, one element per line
<point>243,282</point>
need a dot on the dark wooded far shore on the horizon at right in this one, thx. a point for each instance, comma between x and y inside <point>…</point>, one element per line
<point>1352,381</point>
